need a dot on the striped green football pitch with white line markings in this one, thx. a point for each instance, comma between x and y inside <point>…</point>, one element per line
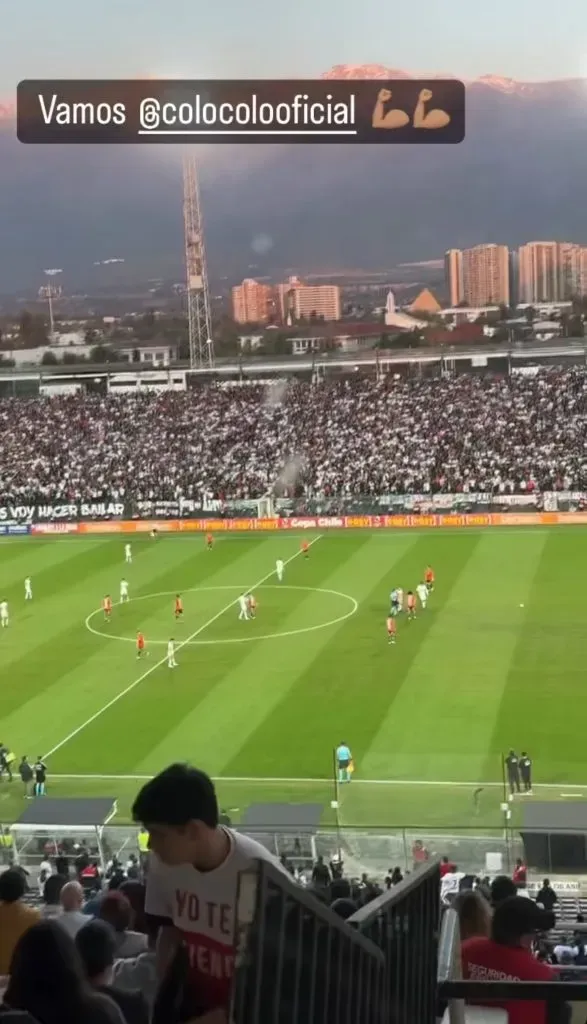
<point>498,660</point>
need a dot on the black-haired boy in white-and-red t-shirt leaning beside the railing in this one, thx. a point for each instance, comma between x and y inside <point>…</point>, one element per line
<point>193,879</point>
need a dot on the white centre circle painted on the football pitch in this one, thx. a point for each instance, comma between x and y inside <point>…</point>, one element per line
<point>354,607</point>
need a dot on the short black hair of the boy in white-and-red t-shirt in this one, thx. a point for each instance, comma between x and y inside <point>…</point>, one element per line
<point>179,795</point>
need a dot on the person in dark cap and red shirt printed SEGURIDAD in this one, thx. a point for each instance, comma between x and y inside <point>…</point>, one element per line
<point>508,956</point>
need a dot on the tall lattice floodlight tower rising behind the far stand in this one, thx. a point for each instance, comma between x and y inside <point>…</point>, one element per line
<point>199,319</point>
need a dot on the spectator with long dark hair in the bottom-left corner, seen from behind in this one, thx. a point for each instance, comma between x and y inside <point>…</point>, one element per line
<point>48,980</point>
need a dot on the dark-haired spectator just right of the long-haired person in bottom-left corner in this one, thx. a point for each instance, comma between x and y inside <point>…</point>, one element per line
<point>97,946</point>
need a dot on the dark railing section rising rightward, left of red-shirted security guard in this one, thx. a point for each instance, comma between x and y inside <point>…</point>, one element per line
<point>404,924</point>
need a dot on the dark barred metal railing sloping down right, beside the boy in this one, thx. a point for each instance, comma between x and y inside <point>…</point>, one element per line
<point>299,963</point>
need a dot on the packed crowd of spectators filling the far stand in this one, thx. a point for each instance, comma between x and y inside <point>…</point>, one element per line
<point>464,434</point>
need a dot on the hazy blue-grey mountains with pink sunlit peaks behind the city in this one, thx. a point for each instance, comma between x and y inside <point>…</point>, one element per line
<point>519,176</point>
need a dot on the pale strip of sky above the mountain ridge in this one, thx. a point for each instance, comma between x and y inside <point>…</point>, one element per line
<point>524,39</point>
